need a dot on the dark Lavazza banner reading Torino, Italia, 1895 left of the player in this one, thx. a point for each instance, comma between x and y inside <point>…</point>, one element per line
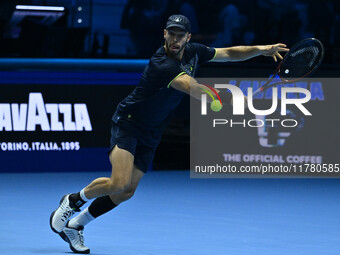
<point>56,127</point>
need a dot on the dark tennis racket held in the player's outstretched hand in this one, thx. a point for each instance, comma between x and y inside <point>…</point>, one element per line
<point>302,59</point>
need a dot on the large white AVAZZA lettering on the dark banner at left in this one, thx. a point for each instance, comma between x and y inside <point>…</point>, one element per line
<point>26,117</point>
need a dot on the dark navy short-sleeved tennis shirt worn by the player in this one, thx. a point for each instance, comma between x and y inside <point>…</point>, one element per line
<point>146,111</point>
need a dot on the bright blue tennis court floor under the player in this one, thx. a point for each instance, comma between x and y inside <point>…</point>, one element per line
<point>173,214</point>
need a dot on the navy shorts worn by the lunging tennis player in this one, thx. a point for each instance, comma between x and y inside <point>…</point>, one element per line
<point>124,140</point>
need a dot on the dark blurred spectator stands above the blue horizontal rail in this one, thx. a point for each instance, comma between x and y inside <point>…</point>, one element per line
<point>134,28</point>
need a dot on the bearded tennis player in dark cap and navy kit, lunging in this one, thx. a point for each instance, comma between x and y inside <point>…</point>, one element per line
<point>139,121</point>
